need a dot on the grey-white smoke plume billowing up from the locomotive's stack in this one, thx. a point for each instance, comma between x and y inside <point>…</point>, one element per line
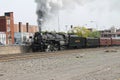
<point>48,8</point>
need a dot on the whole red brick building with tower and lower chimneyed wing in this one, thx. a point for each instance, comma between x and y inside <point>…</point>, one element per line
<point>12,30</point>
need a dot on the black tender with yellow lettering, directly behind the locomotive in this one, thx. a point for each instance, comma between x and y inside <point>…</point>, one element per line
<point>76,41</point>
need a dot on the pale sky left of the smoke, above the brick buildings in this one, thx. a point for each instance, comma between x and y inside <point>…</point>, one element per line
<point>24,10</point>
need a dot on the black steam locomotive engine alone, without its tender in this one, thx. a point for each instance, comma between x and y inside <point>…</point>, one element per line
<point>49,42</point>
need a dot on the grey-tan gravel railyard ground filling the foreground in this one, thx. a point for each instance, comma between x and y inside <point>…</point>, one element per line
<point>82,64</point>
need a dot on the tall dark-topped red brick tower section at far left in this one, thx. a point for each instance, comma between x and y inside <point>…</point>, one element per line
<point>6,25</point>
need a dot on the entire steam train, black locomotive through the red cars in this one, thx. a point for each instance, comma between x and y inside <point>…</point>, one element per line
<point>57,41</point>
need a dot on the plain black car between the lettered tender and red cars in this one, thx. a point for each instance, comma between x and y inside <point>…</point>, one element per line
<point>92,42</point>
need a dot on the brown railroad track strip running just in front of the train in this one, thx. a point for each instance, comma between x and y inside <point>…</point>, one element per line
<point>6,58</point>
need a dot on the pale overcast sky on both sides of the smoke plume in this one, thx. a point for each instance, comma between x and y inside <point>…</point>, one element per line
<point>100,14</point>
